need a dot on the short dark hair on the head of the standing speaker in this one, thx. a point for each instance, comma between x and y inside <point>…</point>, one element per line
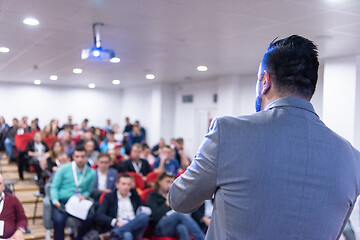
<point>293,63</point>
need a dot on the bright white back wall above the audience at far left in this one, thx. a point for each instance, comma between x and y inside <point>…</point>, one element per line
<point>47,103</point>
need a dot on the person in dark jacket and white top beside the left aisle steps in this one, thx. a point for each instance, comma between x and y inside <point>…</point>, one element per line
<point>35,152</point>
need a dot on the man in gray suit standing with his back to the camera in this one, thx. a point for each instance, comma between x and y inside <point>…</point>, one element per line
<point>279,173</point>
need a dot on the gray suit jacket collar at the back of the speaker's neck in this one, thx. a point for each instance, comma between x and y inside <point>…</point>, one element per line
<point>292,102</point>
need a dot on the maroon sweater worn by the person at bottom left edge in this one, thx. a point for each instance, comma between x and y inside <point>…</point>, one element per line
<point>13,216</point>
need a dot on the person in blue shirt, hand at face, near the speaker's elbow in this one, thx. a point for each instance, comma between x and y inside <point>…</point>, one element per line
<point>165,162</point>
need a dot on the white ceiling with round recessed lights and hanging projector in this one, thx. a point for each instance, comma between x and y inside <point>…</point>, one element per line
<point>168,38</point>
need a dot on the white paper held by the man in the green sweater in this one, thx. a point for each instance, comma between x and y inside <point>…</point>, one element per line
<point>77,208</point>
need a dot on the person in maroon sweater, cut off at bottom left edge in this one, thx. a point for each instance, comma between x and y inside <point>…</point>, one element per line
<point>12,216</point>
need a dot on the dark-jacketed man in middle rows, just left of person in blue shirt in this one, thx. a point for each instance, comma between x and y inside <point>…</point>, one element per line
<point>136,164</point>
